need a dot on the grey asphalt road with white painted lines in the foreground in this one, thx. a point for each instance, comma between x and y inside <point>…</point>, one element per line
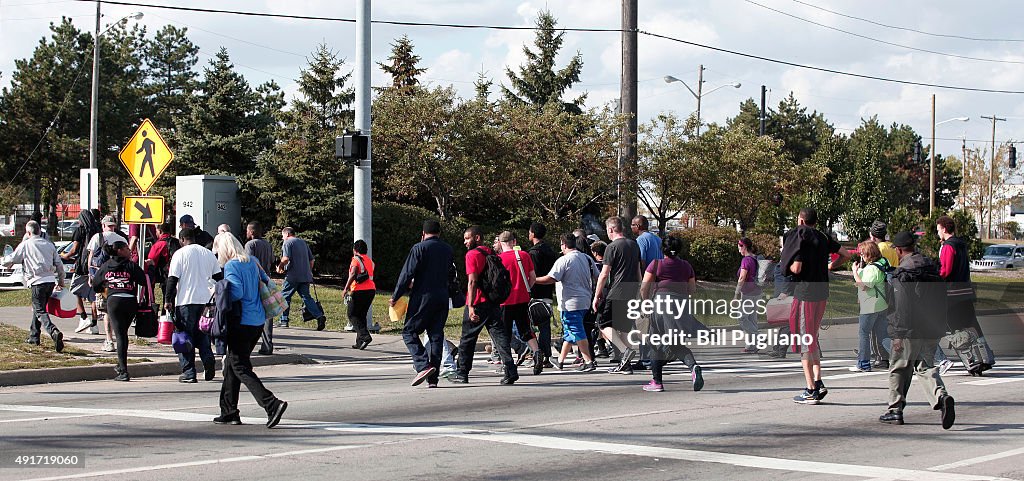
<point>361,420</point>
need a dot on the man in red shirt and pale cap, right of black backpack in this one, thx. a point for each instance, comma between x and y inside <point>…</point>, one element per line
<point>516,311</point>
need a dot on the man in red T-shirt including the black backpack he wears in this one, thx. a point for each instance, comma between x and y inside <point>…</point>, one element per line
<point>490,286</point>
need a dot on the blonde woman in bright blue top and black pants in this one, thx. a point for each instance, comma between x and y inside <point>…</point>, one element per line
<point>243,278</point>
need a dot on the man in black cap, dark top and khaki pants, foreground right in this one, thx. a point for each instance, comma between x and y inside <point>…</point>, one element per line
<point>916,328</point>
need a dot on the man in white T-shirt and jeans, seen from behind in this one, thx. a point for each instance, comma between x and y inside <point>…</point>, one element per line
<point>187,293</point>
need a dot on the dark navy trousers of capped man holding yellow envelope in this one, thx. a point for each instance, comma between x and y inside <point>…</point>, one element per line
<point>431,318</point>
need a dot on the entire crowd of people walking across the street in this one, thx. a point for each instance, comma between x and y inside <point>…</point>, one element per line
<point>910,305</point>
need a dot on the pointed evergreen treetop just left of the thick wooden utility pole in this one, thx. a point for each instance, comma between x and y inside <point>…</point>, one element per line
<point>538,83</point>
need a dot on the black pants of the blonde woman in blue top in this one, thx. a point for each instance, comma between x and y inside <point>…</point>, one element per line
<point>239,370</point>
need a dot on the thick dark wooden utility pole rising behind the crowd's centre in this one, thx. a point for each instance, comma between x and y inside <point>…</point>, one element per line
<point>628,89</point>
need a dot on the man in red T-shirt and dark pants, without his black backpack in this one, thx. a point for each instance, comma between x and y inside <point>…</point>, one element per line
<point>482,313</point>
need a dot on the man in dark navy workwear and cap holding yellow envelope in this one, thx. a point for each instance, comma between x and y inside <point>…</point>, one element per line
<point>424,278</point>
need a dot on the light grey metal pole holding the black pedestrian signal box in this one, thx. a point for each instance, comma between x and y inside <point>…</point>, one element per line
<point>363,223</point>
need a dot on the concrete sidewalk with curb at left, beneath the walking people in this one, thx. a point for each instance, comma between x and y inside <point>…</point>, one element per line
<point>297,345</point>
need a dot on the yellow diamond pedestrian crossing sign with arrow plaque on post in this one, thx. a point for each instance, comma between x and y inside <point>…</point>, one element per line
<point>146,157</point>
